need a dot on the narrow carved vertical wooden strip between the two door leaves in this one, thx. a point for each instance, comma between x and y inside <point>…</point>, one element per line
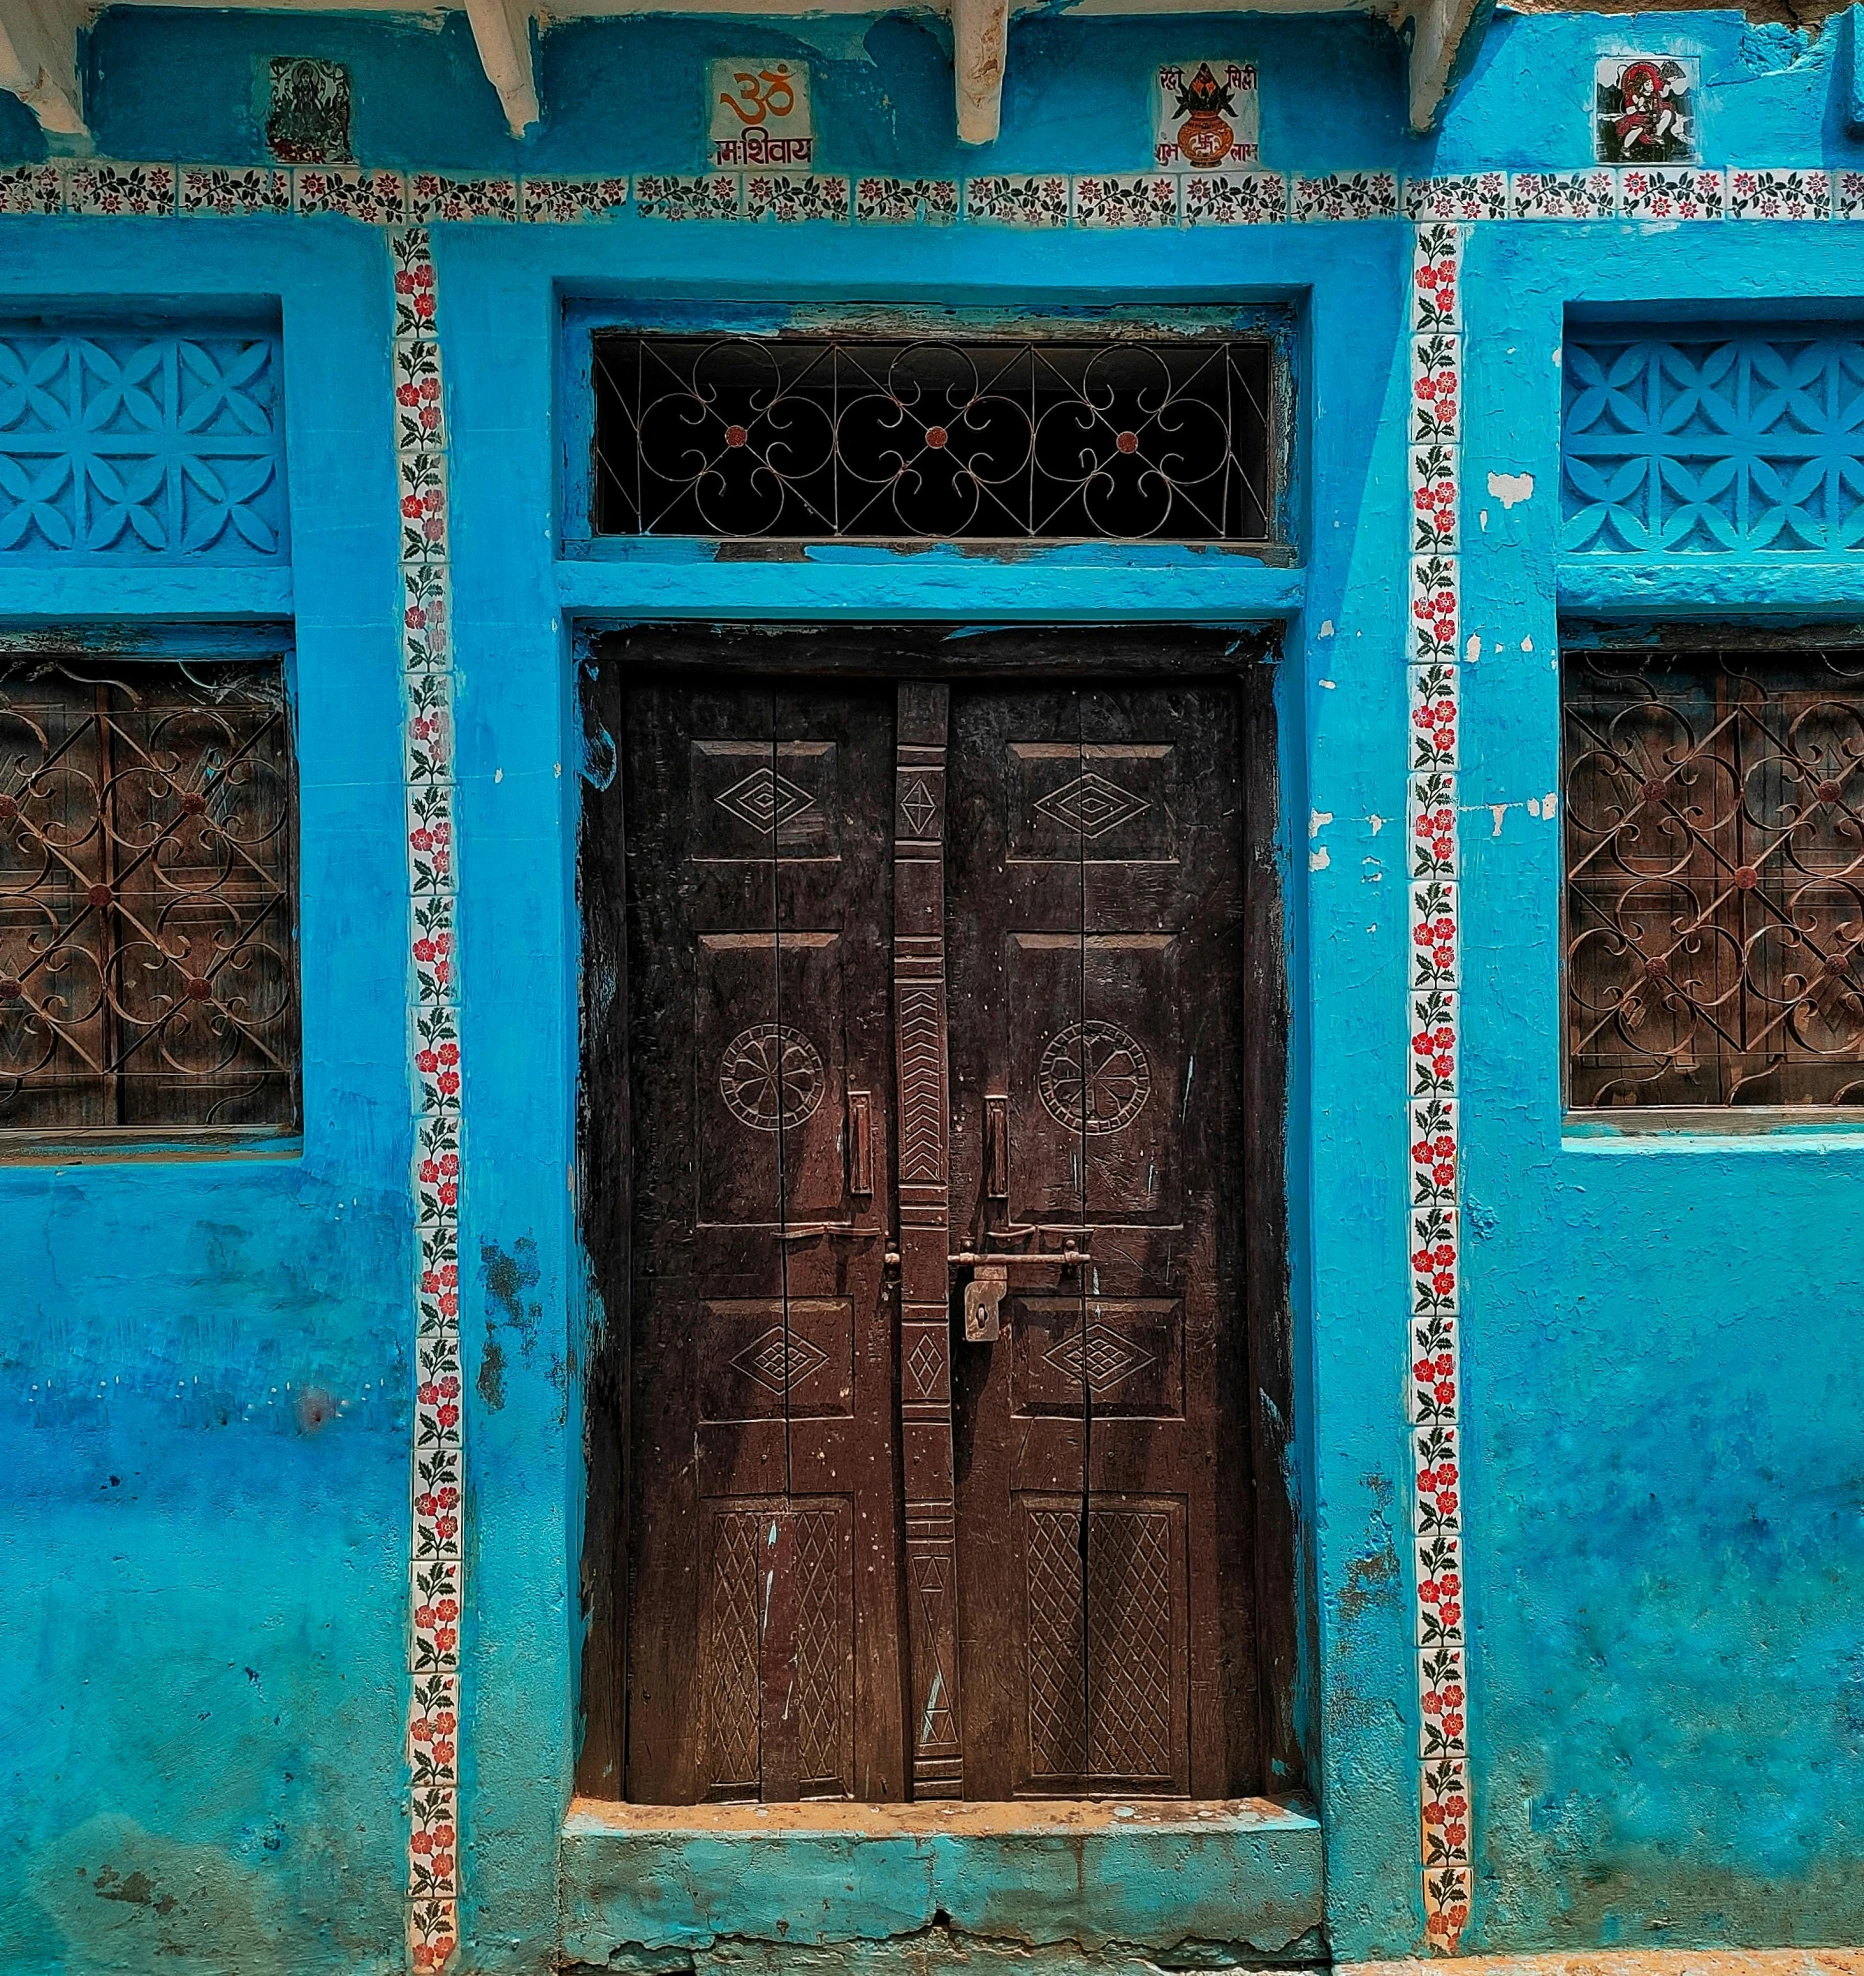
<point>926,1238</point>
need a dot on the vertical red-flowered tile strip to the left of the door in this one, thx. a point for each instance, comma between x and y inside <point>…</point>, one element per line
<point>438,1477</point>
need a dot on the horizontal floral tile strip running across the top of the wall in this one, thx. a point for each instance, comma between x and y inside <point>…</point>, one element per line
<point>1043,201</point>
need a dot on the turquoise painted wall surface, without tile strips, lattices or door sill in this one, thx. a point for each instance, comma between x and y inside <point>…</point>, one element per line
<point>203,1584</point>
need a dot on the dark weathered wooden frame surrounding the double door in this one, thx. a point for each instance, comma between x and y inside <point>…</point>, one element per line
<point>851,649</point>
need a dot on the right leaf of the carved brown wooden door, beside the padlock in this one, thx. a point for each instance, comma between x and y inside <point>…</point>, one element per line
<point>1094,910</point>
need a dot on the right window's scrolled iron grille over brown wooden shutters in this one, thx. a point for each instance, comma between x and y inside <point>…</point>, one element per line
<point>1715,878</point>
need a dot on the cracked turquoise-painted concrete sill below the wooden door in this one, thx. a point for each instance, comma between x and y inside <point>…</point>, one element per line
<point>1232,1880</point>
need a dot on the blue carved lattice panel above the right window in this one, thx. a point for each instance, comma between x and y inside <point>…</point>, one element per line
<point>1713,442</point>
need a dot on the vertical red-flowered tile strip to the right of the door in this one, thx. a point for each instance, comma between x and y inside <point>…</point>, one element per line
<point>1434,1050</point>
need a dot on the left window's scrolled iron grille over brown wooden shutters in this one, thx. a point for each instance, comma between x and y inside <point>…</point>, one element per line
<point>147,902</point>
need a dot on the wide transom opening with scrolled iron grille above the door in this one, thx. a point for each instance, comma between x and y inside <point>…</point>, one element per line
<point>821,438</point>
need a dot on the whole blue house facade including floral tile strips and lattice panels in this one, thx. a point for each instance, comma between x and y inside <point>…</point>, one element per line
<point>296,1574</point>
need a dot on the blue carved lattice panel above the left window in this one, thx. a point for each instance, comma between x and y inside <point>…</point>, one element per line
<point>141,448</point>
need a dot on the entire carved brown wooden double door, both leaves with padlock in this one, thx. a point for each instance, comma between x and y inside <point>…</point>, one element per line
<point>938,1451</point>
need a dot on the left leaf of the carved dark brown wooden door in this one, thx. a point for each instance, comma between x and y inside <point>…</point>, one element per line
<point>764,1594</point>
